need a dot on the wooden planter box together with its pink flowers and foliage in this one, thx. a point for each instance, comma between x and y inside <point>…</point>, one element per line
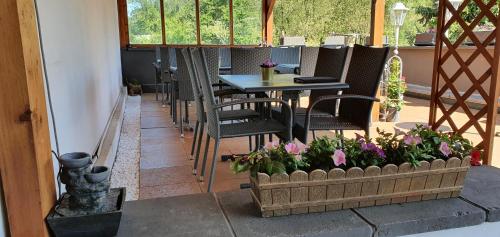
<point>339,173</point>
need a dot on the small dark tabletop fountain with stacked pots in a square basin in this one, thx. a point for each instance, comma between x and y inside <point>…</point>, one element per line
<point>89,207</point>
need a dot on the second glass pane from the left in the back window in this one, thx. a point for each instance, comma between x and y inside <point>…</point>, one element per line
<point>180,21</point>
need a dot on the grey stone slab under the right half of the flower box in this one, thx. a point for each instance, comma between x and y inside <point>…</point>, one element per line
<point>420,217</point>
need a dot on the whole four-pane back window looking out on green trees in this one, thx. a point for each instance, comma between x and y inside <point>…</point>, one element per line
<point>183,25</point>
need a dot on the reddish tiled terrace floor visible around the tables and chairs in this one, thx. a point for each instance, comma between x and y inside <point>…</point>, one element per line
<point>166,167</point>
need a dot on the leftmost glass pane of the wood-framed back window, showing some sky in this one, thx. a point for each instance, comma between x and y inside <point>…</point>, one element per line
<point>144,21</point>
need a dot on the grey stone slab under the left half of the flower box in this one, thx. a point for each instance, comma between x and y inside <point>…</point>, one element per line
<point>246,222</point>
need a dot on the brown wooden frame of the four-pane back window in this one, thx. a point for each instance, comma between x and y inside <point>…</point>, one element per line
<point>125,38</point>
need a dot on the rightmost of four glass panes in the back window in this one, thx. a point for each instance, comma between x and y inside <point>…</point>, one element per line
<point>247,21</point>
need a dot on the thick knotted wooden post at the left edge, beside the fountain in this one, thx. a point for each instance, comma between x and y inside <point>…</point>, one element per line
<point>26,166</point>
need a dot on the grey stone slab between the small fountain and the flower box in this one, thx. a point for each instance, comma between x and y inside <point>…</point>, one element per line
<point>192,215</point>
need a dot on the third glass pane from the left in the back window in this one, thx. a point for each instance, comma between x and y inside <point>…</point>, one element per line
<point>214,21</point>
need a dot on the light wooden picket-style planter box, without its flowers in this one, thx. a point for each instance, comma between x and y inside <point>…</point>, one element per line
<point>318,191</point>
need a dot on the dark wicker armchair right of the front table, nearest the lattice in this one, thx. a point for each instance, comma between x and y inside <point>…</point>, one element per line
<point>364,74</point>
